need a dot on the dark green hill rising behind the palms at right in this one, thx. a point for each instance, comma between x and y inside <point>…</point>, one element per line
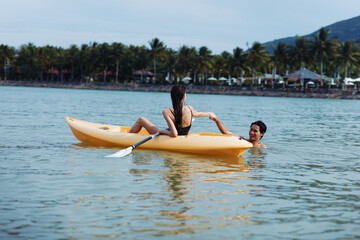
<point>344,30</point>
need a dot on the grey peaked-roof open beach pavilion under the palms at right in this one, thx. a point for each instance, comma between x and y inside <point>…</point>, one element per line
<point>304,78</point>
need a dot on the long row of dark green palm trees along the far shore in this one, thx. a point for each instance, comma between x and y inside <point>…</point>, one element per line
<point>116,62</point>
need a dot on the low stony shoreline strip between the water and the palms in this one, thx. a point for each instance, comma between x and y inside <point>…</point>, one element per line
<point>200,89</point>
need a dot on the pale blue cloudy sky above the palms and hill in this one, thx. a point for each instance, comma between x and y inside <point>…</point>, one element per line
<point>220,25</point>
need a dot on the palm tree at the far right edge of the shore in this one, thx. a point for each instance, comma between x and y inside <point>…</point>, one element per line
<point>349,55</point>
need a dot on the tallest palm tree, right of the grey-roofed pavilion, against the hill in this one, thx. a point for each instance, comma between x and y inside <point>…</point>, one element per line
<point>323,47</point>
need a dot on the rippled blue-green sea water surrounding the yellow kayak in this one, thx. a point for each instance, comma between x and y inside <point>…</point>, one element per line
<point>305,185</point>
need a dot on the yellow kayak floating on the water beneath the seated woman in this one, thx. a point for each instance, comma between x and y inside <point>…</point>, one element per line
<point>198,143</point>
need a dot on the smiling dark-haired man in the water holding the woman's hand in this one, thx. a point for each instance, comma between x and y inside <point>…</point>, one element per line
<point>256,132</point>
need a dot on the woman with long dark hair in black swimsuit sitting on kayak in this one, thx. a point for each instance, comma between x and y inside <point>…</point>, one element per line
<point>178,118</point>
